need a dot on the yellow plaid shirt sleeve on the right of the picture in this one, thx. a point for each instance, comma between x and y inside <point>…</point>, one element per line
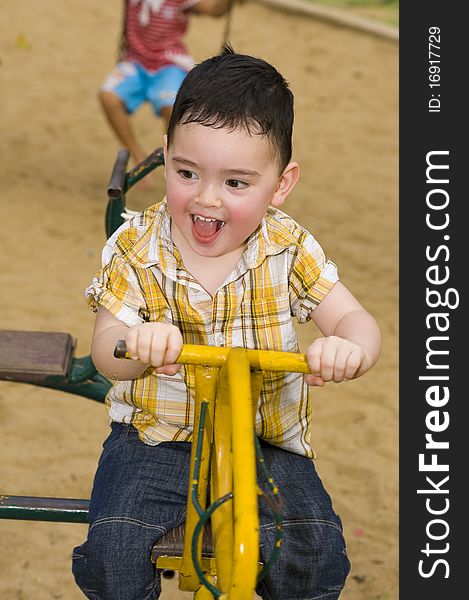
<point>312,277</point>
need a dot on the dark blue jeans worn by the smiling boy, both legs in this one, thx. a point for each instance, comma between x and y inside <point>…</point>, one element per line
<point>140,493</point>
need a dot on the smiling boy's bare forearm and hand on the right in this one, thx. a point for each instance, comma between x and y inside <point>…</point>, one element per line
<point>352,341</point>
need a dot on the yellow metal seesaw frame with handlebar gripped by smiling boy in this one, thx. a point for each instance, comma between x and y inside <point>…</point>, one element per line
<point>228,384</point>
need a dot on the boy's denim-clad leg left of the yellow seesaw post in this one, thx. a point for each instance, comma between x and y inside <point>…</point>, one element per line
<point>139,493</point>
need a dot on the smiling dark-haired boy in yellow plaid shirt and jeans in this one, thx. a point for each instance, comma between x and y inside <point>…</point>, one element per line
<point>217,263</point>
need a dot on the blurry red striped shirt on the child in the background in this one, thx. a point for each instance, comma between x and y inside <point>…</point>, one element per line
<point>154,32</point>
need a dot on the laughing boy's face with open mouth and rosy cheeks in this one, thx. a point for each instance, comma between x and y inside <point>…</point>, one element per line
<point>219,184</point>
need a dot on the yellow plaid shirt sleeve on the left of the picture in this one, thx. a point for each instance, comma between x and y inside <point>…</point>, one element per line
<point>116,288</point>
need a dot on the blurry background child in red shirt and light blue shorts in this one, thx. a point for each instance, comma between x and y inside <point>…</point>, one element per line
<point>153,62</point>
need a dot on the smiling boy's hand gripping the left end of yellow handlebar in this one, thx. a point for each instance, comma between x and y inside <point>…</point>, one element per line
<point>155,344</point>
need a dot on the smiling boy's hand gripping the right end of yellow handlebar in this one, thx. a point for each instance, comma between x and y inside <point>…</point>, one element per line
<point>333,359</point>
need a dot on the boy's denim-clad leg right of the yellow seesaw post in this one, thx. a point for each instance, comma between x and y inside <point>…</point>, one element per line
<point>312,563</point>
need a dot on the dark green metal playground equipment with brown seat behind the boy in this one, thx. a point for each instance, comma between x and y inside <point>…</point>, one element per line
<point>47,359</point>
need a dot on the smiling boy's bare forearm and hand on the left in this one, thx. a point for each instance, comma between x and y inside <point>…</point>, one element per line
<point>149,344</point>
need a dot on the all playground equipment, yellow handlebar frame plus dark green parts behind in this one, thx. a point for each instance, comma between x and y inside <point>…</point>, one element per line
<point>217,550</point>
